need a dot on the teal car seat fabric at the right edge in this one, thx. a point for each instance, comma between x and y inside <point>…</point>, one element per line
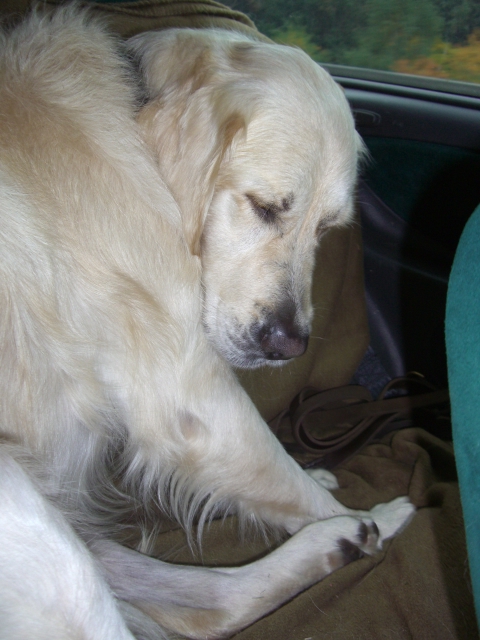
<point>462,330</point>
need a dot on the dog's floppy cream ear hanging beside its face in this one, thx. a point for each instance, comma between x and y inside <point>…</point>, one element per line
<point>190,122</point>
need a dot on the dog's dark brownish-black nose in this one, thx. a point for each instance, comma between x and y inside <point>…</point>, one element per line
<point>282,340</point>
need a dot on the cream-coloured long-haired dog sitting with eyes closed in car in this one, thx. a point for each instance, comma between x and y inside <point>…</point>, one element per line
<point>122,301</point>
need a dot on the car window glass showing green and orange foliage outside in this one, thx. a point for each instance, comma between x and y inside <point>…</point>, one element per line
<point>436,38</point>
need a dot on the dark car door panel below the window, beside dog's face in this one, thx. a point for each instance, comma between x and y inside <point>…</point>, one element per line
<point>419,186</point>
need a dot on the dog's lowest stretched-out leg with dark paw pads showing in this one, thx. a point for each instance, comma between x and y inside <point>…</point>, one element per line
<point>204,602</point>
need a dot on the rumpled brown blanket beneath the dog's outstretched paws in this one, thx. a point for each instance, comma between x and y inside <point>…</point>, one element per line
<point>417,587</point>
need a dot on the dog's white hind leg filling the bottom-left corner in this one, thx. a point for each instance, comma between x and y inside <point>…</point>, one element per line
<point>50,586</point>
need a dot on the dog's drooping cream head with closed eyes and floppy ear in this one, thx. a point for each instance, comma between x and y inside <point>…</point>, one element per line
<point>258,145</point>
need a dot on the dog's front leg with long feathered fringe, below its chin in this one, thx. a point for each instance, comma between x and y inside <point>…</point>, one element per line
<point>200,439</point>
